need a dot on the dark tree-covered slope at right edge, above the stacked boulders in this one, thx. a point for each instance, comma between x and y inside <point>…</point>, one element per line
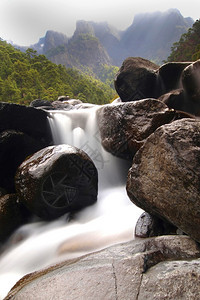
<point>188,47</point>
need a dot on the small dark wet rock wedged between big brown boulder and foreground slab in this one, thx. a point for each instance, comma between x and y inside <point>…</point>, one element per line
<point>149,225</point>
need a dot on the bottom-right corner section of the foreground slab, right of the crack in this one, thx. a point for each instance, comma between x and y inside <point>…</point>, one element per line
<point>171,280</point>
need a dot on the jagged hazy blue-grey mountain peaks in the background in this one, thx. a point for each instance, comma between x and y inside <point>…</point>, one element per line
<point>151,36</point>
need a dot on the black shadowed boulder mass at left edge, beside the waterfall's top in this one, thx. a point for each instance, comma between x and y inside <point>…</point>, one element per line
<point>23,131</point>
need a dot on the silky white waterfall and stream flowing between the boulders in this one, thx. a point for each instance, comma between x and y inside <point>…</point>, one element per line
<point>111,220</point>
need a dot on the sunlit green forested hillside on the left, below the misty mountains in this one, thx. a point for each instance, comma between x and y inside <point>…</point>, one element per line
<point>28,76</point>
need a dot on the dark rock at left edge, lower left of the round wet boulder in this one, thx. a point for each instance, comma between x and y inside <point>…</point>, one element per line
<point>12,215</point>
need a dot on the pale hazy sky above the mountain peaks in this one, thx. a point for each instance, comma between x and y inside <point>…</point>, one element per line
<point>25,21</point>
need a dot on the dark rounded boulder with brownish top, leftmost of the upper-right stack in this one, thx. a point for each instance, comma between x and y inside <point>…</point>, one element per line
<point>136,79</point>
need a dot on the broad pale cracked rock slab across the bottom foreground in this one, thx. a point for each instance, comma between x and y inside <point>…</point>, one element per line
<point>124,271</point>
